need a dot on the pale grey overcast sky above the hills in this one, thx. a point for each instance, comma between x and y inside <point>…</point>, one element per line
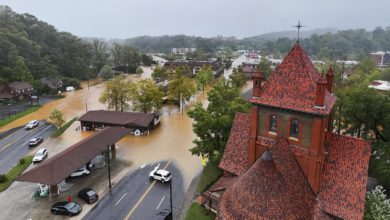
<point>240,18</point>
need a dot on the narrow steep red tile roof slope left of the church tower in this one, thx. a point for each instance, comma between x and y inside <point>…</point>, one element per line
<point>234,159</point>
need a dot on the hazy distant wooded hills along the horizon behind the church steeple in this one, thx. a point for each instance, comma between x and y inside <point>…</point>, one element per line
<point>346,44</point>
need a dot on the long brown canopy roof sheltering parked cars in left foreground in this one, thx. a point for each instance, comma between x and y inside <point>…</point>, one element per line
<point>60,166</point>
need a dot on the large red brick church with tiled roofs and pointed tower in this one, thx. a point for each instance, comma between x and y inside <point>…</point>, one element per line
<point>282,160</point>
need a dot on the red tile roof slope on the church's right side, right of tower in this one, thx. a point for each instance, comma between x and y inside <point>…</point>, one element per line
<point>343,189</point>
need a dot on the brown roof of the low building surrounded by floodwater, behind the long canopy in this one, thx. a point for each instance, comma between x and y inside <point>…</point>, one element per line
<point>118,118</point>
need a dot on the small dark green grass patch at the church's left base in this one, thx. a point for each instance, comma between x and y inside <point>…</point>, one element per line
<point>211,173</point>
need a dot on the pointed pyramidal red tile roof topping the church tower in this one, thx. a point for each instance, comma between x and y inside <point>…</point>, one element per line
<point>292,85</point>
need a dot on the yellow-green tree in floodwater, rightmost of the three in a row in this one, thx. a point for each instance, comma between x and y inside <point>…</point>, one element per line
<point>180,89</point>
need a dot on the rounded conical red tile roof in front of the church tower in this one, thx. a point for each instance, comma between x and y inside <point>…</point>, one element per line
<point>274,189</point>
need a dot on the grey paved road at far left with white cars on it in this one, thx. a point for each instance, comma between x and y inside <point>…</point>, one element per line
<point>15,145</point>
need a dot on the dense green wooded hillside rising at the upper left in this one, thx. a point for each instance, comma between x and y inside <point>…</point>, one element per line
<point>31,49</point>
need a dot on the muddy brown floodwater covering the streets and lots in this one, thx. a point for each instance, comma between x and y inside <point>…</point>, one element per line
<point>172,139</point>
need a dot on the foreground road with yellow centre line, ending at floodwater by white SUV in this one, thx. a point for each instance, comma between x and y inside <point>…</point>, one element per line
<point>135,197</point>
